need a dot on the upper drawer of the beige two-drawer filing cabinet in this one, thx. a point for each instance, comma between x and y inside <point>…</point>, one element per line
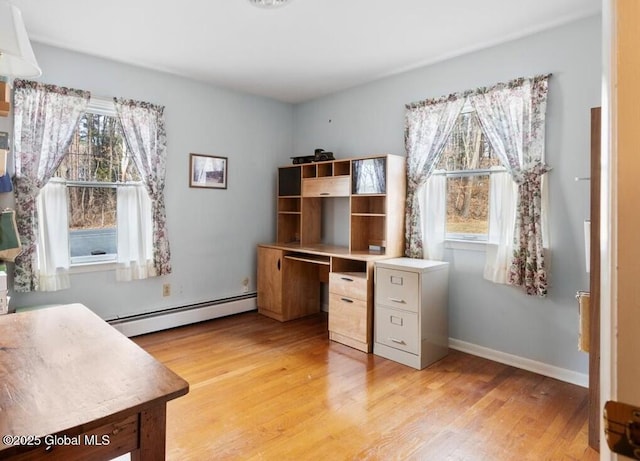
<point>397,289</point>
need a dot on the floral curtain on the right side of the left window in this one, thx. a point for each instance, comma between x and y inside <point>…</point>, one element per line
<point>144,131</point>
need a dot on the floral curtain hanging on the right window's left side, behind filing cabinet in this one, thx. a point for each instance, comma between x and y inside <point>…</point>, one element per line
<point>428,125</point>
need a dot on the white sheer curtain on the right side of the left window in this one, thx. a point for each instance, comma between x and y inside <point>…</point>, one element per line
<point>135,233</point>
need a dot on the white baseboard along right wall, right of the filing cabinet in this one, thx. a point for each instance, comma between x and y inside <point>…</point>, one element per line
<point>562,374</point>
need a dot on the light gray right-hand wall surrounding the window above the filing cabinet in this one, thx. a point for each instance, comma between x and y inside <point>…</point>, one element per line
<point>369,119</point>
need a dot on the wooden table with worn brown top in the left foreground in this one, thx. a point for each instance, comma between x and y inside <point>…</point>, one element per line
<point>74,388</point>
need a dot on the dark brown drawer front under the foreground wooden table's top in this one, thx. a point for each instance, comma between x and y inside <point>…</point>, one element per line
<point>105,442</point>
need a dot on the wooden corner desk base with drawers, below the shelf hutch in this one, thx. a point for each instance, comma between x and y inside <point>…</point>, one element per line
<point>289,277</point>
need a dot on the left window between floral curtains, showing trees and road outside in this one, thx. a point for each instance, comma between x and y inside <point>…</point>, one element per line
<point>95,164</point>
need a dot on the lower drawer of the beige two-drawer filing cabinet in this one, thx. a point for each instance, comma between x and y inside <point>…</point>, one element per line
<point>397,329</point>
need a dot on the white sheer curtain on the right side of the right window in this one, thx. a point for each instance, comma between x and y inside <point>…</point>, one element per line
<point>503,199</point>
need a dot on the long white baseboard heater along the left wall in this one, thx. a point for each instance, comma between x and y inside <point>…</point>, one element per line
<point>140,324</point>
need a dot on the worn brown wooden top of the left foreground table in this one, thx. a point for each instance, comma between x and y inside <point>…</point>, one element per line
<point>65,369</point>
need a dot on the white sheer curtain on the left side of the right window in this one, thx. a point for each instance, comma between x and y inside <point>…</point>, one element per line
<point>433,210</point>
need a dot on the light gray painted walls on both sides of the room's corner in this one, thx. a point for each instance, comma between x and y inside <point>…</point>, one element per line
<point>213,233</point>
